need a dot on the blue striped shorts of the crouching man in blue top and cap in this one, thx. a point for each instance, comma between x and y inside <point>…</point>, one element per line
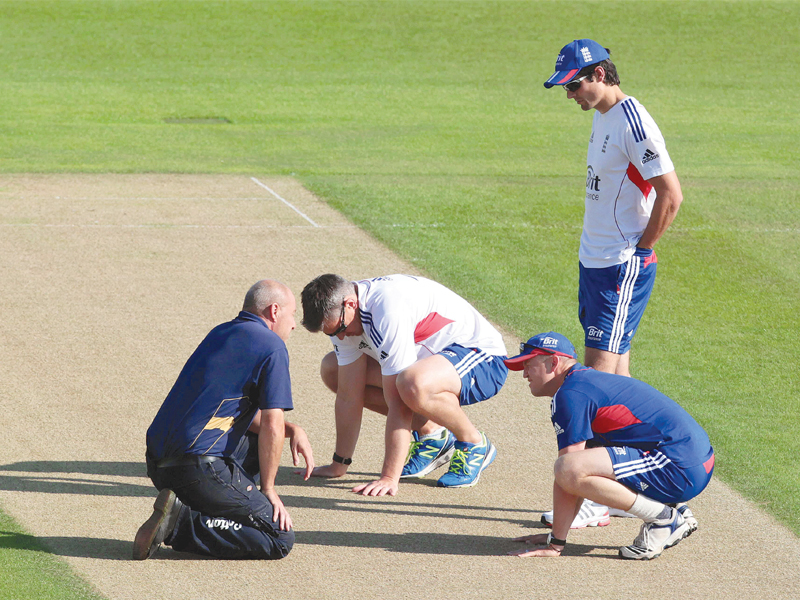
<point>652,474</point>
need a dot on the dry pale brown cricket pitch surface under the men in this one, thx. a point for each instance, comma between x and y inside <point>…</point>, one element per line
<point>109,283</point>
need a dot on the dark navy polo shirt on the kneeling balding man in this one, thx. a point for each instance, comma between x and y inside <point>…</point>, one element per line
<point>239,367</point>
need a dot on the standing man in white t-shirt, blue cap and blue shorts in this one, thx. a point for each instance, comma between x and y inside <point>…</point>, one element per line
<point>632,197</point>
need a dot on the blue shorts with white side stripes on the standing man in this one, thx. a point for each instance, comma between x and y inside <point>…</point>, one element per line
<point>611,301</point>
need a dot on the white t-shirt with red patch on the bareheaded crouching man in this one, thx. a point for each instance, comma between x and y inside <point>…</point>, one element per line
<point>407,318</point>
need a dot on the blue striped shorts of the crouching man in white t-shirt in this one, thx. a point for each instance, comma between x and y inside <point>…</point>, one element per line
<point>482,375</point>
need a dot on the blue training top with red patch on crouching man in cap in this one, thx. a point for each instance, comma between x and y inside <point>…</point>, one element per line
<point>613,410</point>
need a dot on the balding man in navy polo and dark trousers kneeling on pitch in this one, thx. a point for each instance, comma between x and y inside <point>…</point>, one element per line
<point>221,427</point>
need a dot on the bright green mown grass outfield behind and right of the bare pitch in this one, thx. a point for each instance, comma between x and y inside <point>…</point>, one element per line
<point>426,123</point>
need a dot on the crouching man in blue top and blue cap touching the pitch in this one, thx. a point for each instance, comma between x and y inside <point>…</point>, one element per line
<point>648,456</point>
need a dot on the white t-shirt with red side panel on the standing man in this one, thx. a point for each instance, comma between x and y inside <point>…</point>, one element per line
<point>625,150</point>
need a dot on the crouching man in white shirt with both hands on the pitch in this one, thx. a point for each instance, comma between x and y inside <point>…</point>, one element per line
<point>415,351</point>
